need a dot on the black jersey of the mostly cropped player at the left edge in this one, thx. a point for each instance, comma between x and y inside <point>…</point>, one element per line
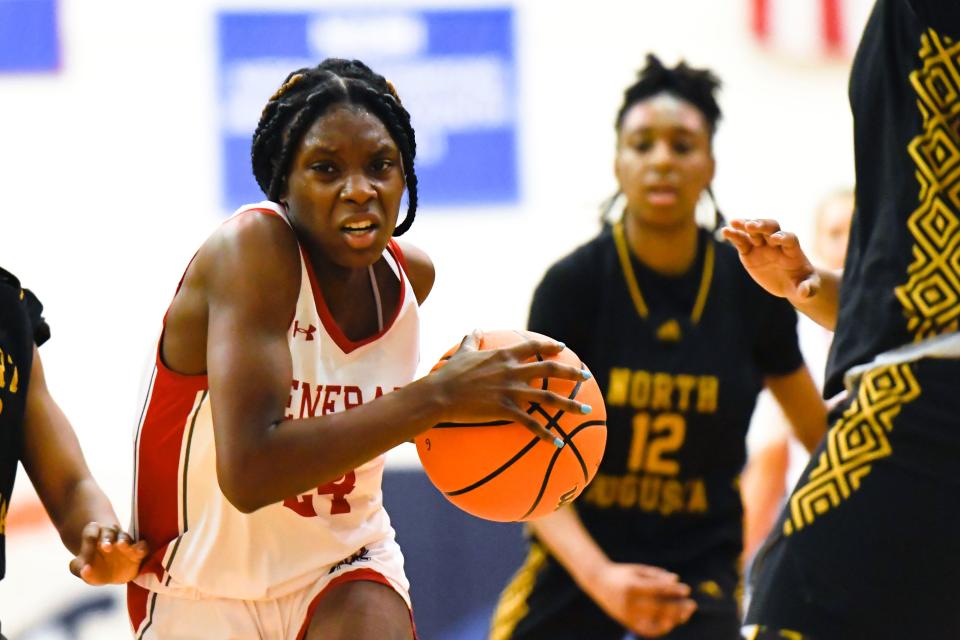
<point>21,326</point>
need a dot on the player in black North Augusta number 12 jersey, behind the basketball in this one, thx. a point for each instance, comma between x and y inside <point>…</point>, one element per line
<point>681,341</point>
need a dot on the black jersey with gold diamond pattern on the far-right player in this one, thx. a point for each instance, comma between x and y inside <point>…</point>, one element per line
<point>901,281</point>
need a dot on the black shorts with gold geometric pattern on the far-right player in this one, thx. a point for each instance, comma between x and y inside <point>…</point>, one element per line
<point>868,545</point>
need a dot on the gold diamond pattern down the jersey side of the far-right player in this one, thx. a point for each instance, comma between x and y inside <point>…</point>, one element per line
<point>931,295</point>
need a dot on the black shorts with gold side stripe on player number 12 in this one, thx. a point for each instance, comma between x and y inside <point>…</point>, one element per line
<point>544,603</point>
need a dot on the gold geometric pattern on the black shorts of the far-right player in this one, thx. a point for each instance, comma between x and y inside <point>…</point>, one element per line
<point>853,444</point>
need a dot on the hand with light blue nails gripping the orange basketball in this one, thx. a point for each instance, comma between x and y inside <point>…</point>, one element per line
<point>494,384</point>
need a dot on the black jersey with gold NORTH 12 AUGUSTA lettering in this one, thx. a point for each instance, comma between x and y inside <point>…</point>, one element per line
<point>680,361</point>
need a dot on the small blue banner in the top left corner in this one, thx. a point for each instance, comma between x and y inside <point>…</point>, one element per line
<point>28,36</point>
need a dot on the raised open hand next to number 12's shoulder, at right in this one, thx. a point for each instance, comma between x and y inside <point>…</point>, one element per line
<point>774,259</point>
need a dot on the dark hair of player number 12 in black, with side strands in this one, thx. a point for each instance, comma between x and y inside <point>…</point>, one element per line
<point>696,86</point>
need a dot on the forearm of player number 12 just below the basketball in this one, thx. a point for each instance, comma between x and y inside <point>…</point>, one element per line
<point>571,544</point>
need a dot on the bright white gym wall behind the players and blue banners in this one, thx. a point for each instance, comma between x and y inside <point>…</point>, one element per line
<point>109,181</point>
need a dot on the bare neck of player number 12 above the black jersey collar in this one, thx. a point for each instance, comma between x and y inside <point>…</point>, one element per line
<point>667,250</point>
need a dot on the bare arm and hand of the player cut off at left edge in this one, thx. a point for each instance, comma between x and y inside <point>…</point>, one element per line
<point>81,512</point>
